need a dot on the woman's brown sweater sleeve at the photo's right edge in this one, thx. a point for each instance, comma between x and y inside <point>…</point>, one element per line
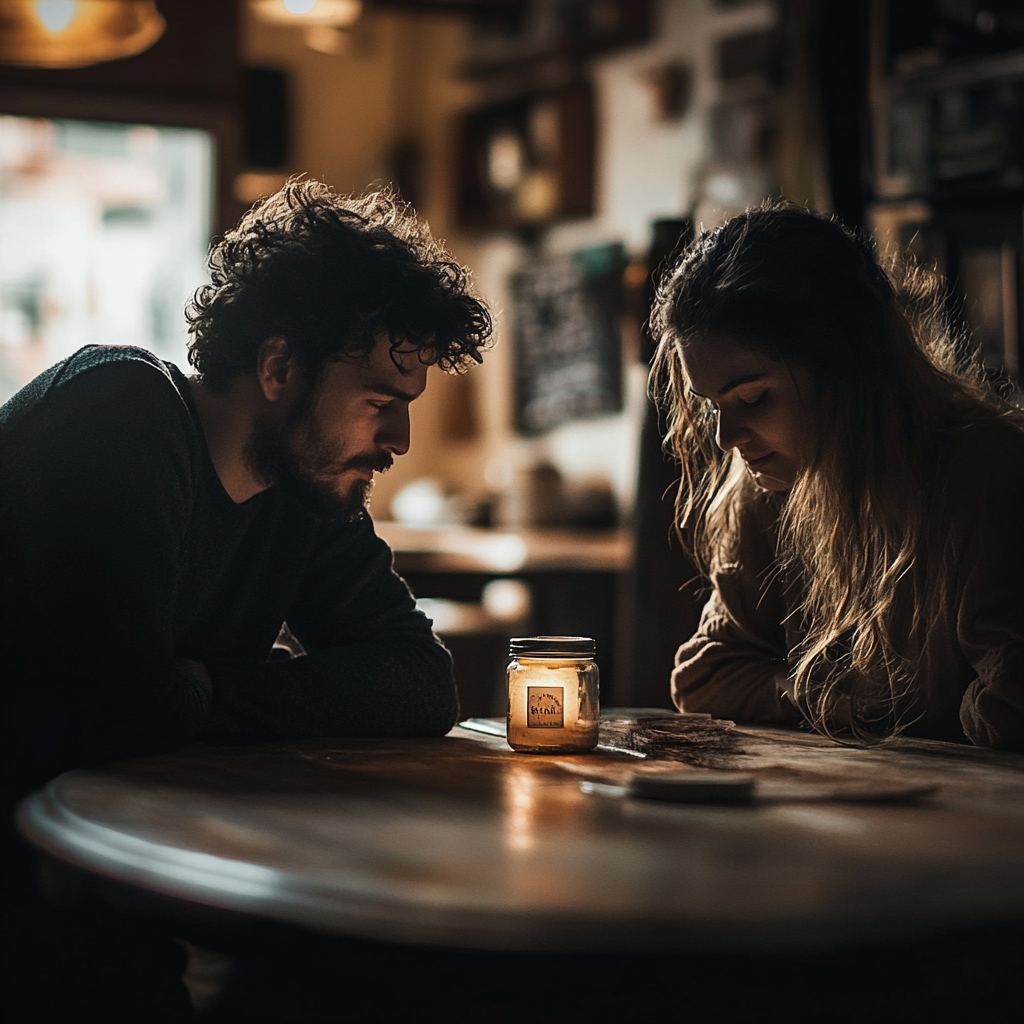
<point>991,619</point>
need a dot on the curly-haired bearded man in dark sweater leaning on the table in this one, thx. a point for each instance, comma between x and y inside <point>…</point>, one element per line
<point>156,531</point>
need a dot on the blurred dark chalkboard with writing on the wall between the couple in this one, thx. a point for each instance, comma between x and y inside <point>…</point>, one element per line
<point>566,333</point>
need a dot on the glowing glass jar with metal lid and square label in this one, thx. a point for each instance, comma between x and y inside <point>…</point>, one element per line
<point>554,695</point>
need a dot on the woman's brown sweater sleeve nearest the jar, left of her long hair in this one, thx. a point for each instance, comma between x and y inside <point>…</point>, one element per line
<point>735,667</point>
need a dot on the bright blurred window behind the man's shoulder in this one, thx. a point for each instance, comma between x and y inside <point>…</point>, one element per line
<point>104,235</point>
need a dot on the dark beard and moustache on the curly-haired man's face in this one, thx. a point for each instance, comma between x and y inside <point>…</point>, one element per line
<point>296,459</point>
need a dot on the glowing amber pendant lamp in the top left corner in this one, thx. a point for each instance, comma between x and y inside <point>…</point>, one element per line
<point>76,33</point>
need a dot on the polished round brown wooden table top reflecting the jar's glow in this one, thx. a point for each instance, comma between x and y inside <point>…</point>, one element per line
<point>461,842</point>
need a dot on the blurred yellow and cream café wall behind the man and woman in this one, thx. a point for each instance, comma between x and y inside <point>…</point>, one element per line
<point>401,80</point>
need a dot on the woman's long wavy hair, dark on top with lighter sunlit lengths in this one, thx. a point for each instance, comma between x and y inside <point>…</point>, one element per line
<point>861,540</point>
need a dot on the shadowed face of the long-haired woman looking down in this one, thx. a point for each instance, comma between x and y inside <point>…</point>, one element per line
<point>762,407</point>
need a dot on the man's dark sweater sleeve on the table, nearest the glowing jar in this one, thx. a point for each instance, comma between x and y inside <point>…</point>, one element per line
<point>373,666</point>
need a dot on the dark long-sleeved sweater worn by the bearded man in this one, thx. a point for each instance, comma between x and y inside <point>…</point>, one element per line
<point>122,557</point>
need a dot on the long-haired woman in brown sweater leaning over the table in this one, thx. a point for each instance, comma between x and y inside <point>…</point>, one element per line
<point>851,487</point>
